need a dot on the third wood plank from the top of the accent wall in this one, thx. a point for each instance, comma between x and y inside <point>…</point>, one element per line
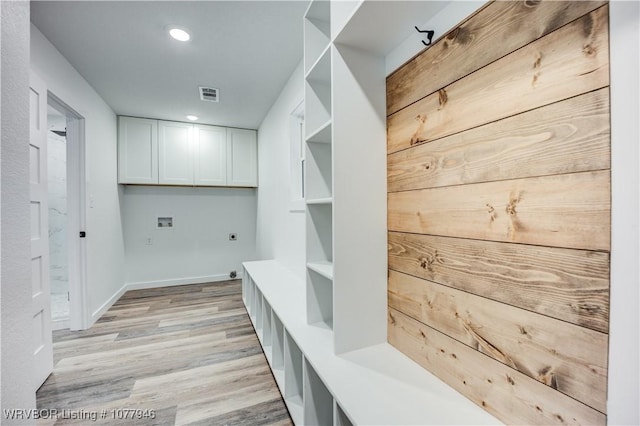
<point>565,137</point>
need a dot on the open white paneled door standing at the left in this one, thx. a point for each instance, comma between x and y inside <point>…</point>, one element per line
<point>41,298</point>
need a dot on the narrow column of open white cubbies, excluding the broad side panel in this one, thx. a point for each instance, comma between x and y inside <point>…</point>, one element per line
<point>319,166</point>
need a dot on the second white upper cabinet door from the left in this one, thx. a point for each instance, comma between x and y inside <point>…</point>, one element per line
<point>175,153</point>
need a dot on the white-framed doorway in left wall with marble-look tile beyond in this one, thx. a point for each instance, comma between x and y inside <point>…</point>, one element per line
<point>66,196</point>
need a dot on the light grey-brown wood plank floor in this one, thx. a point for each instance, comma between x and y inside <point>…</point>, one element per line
<point>188,352</point>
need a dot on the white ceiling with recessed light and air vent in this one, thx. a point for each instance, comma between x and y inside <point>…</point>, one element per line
<point>247,49</point>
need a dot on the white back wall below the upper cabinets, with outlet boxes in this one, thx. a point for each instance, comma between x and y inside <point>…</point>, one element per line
<point>198,248</point>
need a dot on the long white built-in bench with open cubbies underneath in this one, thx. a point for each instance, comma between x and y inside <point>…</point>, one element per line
<point>374,385</point>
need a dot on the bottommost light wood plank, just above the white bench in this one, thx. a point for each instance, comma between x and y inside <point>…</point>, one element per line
<point>504,392</point>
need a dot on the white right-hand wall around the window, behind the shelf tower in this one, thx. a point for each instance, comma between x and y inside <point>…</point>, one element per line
<point>280,233</point>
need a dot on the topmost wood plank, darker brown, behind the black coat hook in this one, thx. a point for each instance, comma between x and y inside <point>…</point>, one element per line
<point>472,45</point>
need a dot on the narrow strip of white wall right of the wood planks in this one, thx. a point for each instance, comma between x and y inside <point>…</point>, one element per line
<point>624,325</point>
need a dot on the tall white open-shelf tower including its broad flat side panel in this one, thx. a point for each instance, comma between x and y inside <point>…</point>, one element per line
<point>346,205</point>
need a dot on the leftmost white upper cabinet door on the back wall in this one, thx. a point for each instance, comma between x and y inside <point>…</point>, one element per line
<point>137,150</point>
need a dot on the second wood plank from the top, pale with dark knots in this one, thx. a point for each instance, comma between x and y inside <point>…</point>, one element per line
<point>568,62</point>
